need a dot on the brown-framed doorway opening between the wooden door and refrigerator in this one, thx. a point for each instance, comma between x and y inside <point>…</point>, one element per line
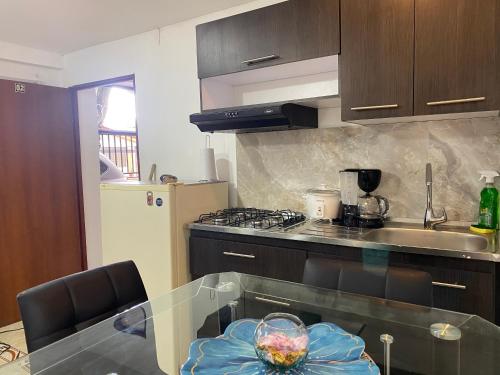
<point>109,147</point>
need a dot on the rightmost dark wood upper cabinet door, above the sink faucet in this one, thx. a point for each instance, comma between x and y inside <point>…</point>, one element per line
<point>455,56</point>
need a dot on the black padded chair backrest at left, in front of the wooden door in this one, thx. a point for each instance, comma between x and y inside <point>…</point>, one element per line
<point>59,308</point>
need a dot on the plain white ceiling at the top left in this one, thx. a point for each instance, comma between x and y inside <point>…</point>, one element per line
<point>64,26</point>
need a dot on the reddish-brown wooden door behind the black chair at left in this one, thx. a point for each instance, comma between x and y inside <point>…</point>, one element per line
<point>40,237</point>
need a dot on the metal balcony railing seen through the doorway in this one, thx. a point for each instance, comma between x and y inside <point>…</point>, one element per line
<point>121,148</point>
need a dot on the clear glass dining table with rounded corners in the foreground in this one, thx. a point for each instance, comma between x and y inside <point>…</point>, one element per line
<point>156,337</point>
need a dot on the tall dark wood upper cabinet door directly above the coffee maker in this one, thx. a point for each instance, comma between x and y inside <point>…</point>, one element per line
<point>376,62</point>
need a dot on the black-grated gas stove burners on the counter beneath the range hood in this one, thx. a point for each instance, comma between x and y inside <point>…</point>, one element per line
<point>252,218</point>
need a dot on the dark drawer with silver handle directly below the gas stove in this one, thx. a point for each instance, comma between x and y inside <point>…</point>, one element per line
<point>213,256</point>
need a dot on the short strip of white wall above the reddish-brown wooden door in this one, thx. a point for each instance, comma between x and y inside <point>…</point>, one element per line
<point>21,63</point>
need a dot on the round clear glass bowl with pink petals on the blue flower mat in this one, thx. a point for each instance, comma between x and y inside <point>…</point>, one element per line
<point>281,341</point>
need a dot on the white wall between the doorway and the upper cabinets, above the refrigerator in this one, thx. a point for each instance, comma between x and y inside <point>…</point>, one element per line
<point>164,64</point>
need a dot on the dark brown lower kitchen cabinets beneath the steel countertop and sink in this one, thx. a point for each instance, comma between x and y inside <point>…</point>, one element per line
<point>463,285</point>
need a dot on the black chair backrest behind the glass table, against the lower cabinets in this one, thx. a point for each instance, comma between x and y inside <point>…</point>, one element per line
<point>398,284</point>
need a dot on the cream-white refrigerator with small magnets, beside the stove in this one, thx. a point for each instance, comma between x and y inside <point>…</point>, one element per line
<point>148,224</point>
